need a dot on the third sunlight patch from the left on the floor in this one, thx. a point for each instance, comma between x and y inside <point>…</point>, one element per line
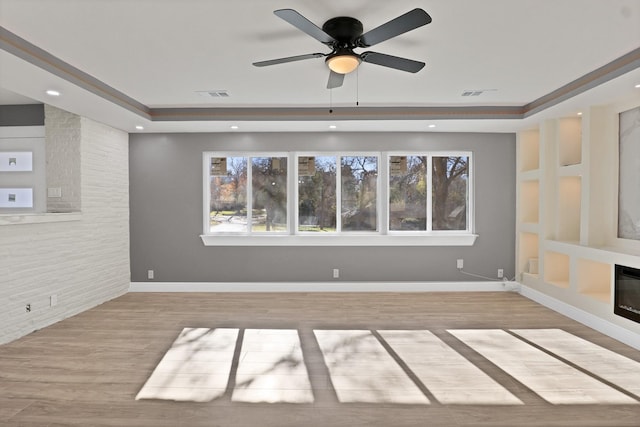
<point>362,370</point>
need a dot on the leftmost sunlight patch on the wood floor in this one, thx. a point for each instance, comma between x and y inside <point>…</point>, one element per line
<point>196,367</point>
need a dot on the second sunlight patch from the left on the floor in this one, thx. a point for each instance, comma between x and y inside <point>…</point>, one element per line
<point>272,368</point>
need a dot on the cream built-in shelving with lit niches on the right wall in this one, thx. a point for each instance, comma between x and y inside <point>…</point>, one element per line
<point>566,217</point>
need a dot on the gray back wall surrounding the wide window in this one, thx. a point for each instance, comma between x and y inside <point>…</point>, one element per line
<point>166,213</point>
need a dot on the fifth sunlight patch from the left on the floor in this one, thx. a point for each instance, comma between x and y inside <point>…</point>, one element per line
<point>552,379</point>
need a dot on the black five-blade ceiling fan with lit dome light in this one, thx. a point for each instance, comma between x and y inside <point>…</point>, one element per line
<point>343,34</point>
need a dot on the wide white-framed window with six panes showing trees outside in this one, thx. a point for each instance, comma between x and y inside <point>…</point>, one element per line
<point>345,195</point>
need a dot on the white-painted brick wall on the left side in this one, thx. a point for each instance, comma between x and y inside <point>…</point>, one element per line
<point>84,262</point>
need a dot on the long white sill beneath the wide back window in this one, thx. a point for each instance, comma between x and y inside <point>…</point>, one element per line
<point>352,240</point>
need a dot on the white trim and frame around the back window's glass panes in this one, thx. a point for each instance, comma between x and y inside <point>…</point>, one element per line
<point>382,237</point>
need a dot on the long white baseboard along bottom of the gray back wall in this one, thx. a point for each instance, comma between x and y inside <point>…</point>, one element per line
<point>322,287</point>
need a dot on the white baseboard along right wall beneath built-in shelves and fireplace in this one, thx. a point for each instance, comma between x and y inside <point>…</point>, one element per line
<point>617,332</point>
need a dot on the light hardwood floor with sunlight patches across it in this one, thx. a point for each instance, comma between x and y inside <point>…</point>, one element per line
<point>334,359</point>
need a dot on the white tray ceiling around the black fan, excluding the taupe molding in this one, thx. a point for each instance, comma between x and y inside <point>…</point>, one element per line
<point>162,52</point>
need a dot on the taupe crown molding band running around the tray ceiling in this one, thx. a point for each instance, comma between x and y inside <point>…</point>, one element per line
<point>38,57</point>
